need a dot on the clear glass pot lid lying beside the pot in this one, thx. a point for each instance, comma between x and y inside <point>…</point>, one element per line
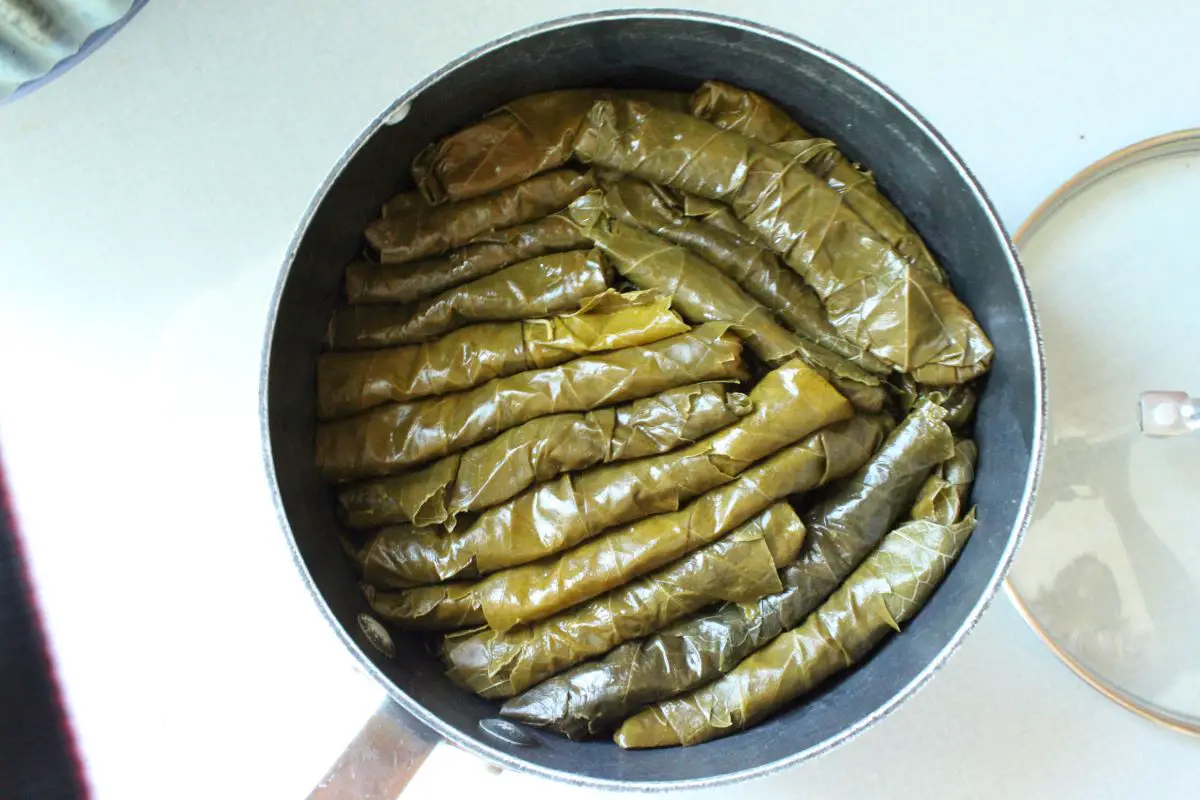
<point>1109,574</point>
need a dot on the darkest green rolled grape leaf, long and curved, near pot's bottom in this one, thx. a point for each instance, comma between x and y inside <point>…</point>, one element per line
<point>843,530</point>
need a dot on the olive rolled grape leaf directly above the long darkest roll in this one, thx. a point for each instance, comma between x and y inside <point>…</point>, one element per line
<point>741,567</point>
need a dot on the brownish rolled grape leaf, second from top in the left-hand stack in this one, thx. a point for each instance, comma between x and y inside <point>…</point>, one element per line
<point>412,228</point>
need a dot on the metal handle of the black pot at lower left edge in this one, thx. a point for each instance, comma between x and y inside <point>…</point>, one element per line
<point>382,759</point>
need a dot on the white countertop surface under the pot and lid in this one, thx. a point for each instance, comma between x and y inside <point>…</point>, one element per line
<point>146,203</point>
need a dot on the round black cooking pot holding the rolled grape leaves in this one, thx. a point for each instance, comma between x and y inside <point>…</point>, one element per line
<point>677,51</point>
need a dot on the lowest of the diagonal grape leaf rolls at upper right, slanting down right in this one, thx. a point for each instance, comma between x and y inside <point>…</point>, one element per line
<point>703,293</point>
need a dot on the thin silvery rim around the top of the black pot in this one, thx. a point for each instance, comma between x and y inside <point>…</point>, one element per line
<point>500,757</point>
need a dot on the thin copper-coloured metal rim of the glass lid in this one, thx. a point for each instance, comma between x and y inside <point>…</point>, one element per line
<point>1160,147</point>
